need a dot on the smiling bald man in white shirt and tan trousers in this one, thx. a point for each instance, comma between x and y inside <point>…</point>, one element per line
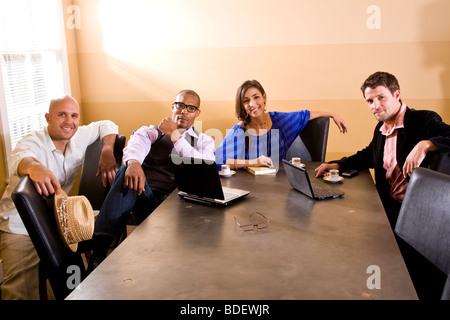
<point>52,158</point>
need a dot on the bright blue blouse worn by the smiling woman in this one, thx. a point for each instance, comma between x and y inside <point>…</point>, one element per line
<point>240,144</point>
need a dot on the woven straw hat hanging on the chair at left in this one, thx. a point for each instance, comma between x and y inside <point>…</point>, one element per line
<point>75,219</point>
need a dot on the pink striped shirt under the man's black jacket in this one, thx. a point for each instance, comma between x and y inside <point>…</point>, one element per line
<point>394,174</point>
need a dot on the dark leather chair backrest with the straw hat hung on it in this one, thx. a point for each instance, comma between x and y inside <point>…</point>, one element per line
<point>37,215</point>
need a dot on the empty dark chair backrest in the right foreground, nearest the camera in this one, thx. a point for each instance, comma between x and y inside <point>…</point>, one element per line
<point>424,218</point>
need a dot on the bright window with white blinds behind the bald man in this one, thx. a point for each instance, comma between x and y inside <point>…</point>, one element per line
<point>33,65</point>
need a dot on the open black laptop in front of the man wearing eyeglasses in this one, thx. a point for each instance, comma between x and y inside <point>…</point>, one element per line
<point>198,181</point>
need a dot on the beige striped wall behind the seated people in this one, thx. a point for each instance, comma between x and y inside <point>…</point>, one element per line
<point>131,57</point>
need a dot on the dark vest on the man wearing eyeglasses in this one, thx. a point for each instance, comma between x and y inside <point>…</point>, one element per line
<point>158,166</point>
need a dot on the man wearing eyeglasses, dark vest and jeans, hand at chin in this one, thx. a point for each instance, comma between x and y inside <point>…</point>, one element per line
<point>147,176</point>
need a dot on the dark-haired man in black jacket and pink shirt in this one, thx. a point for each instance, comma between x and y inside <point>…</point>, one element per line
<point>403,140</point>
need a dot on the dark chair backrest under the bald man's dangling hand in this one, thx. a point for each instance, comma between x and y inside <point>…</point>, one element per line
<point>91,186</point>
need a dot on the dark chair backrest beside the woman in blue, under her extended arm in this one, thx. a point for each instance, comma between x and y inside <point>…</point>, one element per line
<point>311,144</point>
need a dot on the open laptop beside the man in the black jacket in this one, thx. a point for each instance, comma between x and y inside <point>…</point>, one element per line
<point>299,180</point>
